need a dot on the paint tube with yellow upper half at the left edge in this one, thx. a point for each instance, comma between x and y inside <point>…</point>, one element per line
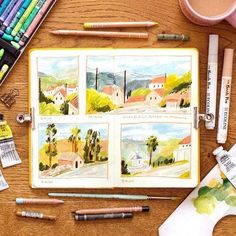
<point>8,153</point>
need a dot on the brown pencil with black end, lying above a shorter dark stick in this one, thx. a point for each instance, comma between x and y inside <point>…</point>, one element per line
<point>112,210</point>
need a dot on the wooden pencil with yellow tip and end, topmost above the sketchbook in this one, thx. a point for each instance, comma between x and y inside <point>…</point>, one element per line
<point>101,25</point>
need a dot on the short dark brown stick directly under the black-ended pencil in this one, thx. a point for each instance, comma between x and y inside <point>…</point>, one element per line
<point>86,217</point>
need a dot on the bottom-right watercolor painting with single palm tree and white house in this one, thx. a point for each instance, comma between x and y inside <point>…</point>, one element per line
<point>156,149</point>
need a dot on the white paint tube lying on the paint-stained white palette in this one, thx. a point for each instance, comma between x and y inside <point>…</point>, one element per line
<point>227,164</point>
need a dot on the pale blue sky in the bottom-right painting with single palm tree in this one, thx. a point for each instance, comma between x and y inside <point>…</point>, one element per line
<point>164,132</point>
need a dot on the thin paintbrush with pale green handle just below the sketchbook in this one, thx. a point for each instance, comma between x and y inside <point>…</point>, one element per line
<point>111,196</point>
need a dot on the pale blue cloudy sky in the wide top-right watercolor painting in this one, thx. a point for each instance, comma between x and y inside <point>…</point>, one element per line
<point>141,66</point>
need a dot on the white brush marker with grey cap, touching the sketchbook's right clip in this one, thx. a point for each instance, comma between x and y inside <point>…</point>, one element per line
<point>212,74</point>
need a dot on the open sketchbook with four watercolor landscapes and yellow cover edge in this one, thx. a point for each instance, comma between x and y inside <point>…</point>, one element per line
<point>104,118</point>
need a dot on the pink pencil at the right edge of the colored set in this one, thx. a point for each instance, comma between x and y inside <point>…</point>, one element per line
<point>35,22</point>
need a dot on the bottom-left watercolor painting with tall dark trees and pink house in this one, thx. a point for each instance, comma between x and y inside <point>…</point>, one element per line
<point>73,150</point>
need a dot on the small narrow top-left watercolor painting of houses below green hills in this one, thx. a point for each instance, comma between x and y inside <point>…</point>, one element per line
<point>58,85</point>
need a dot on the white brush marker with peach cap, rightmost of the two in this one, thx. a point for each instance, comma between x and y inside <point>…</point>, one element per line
<point>225,96</point>
